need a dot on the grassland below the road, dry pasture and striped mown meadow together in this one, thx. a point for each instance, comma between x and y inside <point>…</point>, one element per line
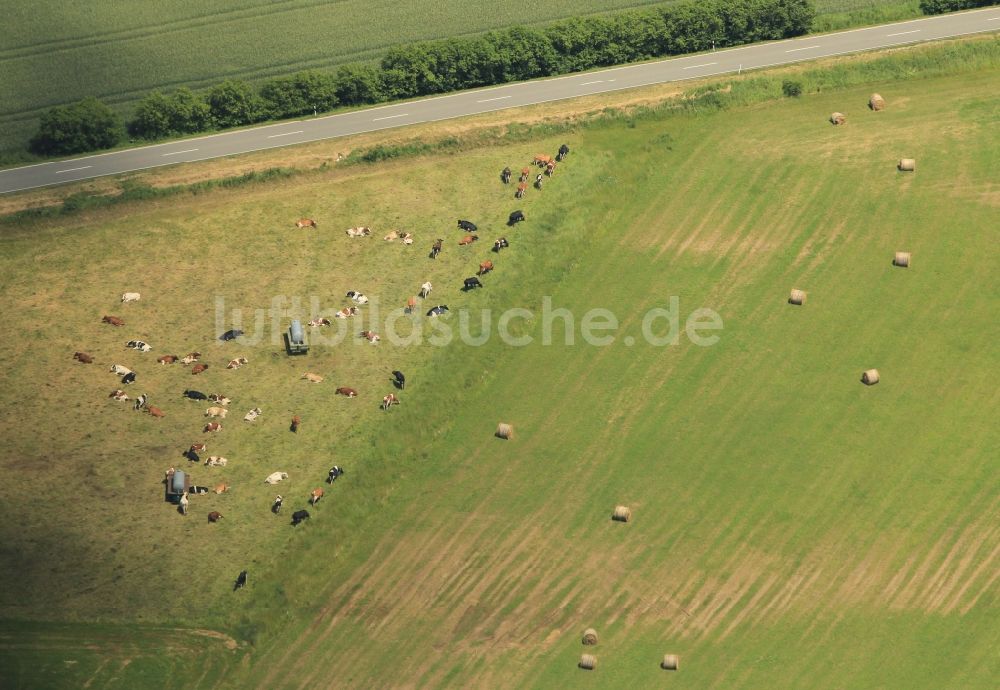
<point>791,526</point>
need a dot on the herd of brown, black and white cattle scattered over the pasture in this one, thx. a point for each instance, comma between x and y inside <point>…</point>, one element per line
<point>219,410</point>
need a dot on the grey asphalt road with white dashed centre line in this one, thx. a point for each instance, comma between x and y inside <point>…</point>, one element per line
<point>501,97</point>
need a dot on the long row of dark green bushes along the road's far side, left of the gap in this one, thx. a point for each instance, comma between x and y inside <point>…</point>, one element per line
<point>431,67</point>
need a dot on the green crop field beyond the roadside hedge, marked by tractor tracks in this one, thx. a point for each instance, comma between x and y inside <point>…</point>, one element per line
<point>53,53</point>
